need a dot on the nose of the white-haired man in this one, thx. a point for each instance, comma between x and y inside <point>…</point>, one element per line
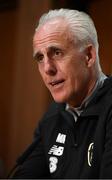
<point>50,67</point>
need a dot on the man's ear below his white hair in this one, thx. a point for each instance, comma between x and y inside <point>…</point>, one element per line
<point>90,53</point>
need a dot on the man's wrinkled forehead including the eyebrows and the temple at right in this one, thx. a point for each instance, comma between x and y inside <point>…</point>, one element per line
<point>52,34</point>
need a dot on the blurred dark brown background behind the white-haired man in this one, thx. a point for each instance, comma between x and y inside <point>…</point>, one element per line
<point>23,97</point>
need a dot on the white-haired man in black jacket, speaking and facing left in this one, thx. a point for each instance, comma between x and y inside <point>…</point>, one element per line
<point>74,138</point>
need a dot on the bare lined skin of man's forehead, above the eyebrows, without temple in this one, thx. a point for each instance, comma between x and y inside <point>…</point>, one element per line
<point>51,32</point>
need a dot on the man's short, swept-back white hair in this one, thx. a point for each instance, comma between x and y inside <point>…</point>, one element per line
<point>79,23</point>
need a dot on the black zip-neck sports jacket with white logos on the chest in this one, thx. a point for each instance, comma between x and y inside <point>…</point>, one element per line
<point>65,149</point>
